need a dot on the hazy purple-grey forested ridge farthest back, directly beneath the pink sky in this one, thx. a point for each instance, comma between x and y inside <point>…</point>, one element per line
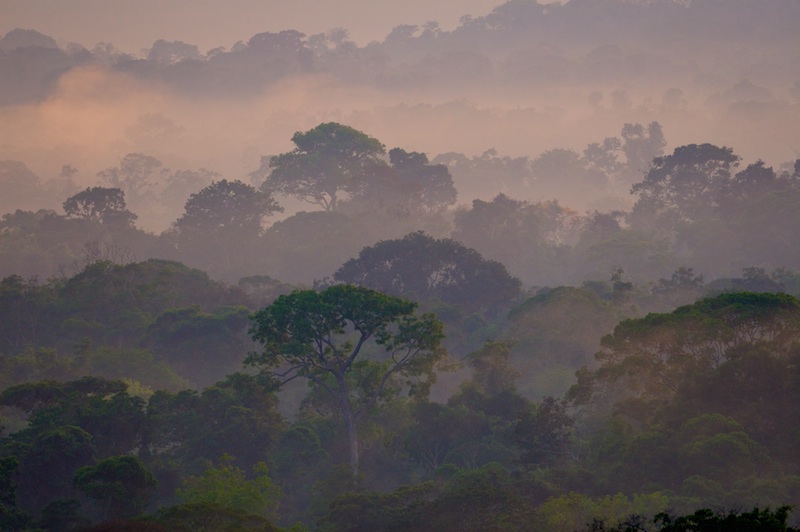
<point>504,46</point>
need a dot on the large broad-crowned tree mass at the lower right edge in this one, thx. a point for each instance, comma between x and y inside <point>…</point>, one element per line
<point>704,401</point>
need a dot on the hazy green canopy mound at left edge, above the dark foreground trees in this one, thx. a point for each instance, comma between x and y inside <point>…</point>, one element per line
<point>98,322</point>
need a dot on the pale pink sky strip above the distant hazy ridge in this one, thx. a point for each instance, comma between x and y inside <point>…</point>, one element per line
<point>133,25</point>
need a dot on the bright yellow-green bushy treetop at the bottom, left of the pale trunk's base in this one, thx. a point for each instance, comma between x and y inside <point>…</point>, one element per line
<point>227,486</point>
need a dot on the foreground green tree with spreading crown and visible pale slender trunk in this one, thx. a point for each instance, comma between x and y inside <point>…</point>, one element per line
<point>354,345</point>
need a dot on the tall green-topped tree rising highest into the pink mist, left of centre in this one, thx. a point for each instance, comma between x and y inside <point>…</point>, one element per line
<point>329,161</point>
